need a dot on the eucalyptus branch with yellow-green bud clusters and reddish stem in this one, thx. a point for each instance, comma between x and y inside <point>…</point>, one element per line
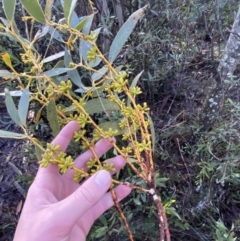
<point>133,123</point>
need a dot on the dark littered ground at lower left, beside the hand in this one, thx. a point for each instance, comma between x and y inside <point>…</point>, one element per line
<point>16,174</point>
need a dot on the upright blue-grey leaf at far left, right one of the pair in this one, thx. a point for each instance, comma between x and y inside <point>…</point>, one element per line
<point>23,106</point>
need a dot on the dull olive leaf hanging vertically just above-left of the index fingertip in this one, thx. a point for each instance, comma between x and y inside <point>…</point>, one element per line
<point>52,117</point>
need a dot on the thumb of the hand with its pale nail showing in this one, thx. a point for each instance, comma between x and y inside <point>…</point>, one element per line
<point>85,197</point>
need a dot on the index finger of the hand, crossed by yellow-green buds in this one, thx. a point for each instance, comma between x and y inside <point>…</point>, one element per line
<point>62,139</point>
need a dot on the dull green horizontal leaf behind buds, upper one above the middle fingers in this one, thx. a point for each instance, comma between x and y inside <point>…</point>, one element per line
<point>99,105</point>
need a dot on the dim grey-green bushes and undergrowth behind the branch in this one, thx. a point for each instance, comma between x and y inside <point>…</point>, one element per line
<point>178,44</point>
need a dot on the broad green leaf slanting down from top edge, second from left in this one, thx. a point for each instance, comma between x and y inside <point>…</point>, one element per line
<point>34,9</point>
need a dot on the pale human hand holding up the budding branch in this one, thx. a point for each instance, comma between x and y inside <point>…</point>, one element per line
<point>57,208</point>
